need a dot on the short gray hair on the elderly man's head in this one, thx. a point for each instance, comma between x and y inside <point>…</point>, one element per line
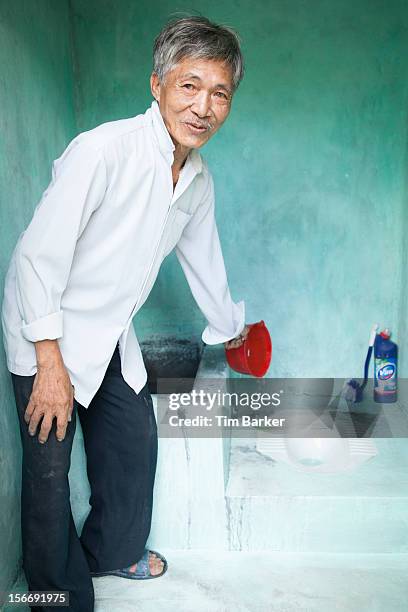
<point>198,38</point>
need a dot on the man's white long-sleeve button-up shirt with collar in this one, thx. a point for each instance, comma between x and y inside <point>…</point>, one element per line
<point>92,251</point>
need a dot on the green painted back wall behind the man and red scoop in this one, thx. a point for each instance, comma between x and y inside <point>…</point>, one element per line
<point>309,168</point>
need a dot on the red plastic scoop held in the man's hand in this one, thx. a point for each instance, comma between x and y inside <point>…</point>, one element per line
<point>255,353</point>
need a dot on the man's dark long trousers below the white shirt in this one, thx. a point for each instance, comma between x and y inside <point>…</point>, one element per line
<point>120,439</point>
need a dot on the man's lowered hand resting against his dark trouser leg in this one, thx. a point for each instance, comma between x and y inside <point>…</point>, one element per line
<point>52,394</point>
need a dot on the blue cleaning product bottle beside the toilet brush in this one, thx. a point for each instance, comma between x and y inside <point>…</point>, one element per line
<point>385,368</point>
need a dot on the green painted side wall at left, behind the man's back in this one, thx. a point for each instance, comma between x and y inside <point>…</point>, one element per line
<point>36,120</point>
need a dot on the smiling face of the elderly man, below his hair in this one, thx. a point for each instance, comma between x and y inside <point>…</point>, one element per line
<point>194,100</point>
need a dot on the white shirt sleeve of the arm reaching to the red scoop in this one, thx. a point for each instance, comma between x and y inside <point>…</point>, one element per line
<point>200,255</point>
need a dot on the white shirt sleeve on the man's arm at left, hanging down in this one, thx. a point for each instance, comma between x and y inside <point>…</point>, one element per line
<point>46,249</point>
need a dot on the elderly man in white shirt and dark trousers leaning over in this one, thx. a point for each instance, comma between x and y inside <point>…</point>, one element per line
<point>122,196</point>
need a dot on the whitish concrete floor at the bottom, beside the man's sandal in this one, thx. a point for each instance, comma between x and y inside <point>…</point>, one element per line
<point>200,581</point>
